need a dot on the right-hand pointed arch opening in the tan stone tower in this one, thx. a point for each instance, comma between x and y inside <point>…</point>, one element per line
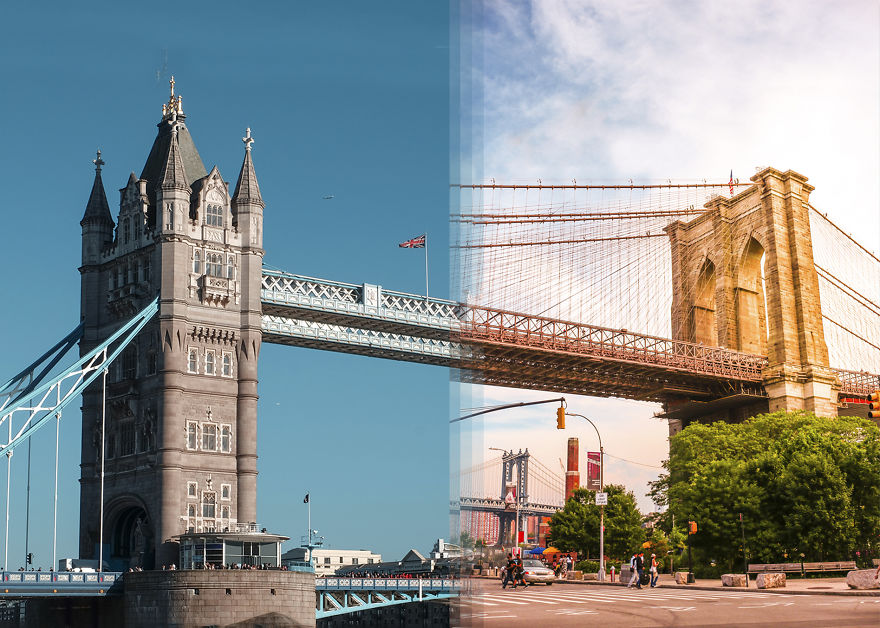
<point>751,312</point>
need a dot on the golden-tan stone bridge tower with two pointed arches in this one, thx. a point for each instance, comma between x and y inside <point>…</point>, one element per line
<point>744,278</point>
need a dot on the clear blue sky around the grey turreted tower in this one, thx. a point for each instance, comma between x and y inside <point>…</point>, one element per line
<point>348,99</point>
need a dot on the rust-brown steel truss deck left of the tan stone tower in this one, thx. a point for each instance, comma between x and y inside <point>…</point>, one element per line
<point>511,349</point>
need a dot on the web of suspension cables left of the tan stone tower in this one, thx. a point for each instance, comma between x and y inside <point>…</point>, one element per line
<point>589,254</point>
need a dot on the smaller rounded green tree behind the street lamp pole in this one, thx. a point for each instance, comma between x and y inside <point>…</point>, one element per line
<point>576,526</point>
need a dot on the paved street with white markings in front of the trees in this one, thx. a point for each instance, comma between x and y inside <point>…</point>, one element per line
<point>572,605</point>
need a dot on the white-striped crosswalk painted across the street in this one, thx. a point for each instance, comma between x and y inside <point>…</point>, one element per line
<point>594,596</point>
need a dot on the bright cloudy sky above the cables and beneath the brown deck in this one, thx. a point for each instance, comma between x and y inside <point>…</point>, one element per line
<point>650,91</point>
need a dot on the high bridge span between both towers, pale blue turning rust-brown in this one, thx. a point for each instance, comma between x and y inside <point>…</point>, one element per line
<point>500,348</point>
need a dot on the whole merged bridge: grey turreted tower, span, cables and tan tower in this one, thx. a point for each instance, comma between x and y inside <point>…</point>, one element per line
<point>758,317</point>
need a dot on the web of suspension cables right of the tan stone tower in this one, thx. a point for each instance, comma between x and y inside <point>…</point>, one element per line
<point>849,291</point>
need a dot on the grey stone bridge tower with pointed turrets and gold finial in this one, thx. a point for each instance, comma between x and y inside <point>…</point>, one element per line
<point>181,402</point>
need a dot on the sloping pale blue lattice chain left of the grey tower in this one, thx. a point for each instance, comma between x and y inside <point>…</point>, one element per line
<point>28,403</point>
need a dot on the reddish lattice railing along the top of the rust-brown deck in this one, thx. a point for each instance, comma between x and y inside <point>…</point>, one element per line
<point>488,325</point>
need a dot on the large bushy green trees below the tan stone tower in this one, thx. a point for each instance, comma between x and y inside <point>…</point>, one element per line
<point>807,487</point>
